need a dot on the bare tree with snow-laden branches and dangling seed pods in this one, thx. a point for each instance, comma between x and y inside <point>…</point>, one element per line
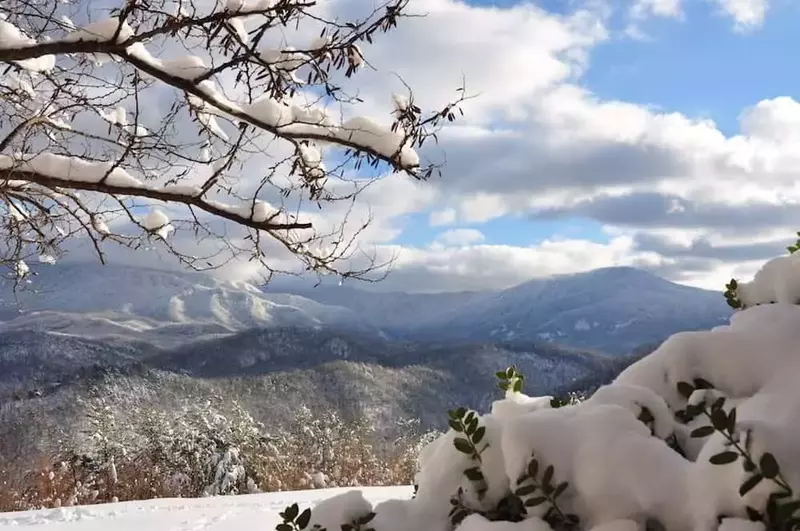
<point>127,124</point>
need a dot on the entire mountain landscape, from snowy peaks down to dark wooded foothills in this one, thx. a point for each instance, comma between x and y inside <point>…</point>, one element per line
<point>145,336</point>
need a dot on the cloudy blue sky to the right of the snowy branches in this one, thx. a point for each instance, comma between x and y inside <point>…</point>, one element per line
<point>660,134</point>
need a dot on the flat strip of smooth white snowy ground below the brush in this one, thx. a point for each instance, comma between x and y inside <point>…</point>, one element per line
<point>223,513</point>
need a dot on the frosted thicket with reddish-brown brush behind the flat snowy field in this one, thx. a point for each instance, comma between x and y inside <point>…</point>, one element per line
<point>207,447</point>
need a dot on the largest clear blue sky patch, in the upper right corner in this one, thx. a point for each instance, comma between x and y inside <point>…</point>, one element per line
<point>700,66</point>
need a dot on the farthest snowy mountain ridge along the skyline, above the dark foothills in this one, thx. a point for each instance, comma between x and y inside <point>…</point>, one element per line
<point>613,310</point>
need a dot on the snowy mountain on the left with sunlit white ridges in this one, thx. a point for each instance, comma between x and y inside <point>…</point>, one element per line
<point>164,308</point>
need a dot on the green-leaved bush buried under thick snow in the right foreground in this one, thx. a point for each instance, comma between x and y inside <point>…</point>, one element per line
<point>701,434</point>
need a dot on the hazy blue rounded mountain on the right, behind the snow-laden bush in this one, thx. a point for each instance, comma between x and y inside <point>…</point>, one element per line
<point>614,310</point>
